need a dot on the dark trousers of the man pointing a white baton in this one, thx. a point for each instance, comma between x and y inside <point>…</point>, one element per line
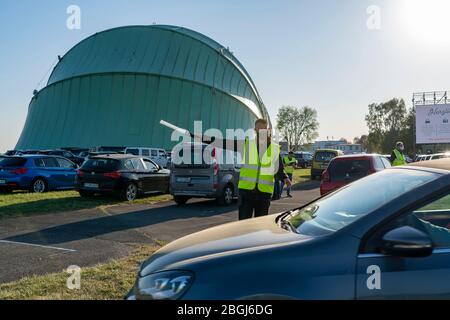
<point>253,202</point>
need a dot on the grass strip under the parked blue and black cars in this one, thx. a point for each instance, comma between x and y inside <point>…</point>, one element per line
<point>21,204</point>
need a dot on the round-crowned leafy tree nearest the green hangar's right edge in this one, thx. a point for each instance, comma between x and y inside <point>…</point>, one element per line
<point>297,125</point>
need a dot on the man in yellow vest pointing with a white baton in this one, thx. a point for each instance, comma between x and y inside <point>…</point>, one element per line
<point>261,164</point>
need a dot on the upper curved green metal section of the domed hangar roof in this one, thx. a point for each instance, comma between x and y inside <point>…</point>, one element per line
<point>182,54</point>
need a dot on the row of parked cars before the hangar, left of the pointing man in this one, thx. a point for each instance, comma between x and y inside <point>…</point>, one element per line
<point>126,175</point>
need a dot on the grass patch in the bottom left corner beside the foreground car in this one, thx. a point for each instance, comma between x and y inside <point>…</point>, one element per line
<point>108,281</point>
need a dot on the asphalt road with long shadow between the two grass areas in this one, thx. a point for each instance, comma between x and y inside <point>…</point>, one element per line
<point>53,242</point>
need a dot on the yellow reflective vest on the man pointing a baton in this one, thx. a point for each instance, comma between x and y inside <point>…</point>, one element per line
<point>256,171</point>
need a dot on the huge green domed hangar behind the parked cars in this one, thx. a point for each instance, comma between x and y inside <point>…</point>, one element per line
<point>113,88</point>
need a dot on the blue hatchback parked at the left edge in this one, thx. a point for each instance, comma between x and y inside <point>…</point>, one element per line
<point>36,173</point>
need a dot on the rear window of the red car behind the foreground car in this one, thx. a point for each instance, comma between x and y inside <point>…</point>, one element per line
<point>346,169</point>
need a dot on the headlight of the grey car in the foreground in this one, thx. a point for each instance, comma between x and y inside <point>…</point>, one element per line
<point>168,285</point>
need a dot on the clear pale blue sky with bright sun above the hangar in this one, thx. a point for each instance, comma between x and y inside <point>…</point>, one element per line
<point>319,53</point>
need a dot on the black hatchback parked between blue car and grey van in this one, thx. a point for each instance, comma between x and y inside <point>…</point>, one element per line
<point>126,176</point>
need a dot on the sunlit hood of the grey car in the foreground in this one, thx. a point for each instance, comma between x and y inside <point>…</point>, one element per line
<point>241,235</point>
